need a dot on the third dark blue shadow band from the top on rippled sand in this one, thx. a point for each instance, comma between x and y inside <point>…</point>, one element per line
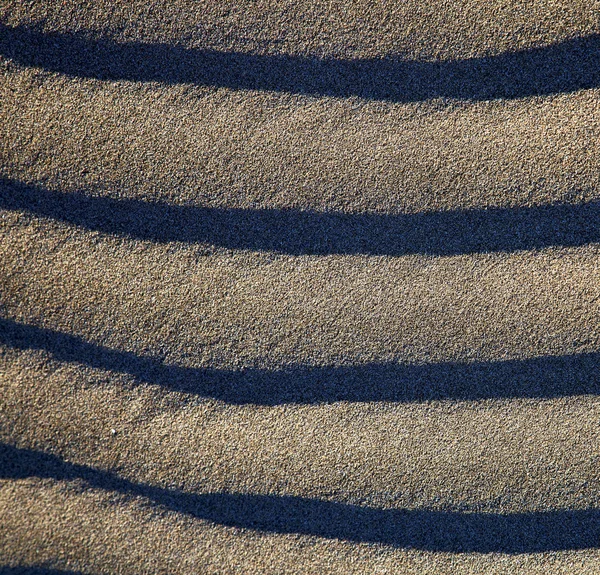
<point>544,377</point>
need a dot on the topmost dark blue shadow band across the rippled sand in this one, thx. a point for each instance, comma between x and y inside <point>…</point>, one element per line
<point>564,67</point>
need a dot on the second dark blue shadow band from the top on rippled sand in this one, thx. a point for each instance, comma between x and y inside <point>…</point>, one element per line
<point>316,233</point>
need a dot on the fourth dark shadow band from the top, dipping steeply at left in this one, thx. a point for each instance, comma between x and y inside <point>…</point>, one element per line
<point>453,532</point>
